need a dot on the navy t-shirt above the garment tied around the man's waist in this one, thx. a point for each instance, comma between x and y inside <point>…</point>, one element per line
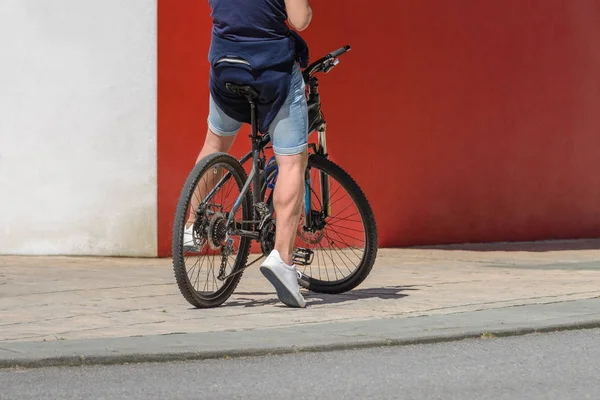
<point>249,20</point>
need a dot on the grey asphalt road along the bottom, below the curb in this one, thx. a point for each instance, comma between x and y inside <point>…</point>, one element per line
<point>561,366</point>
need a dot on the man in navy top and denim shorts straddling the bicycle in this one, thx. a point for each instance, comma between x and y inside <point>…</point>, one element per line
<point>253,45</point>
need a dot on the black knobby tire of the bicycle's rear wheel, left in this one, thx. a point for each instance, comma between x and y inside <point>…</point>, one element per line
<point>186,287</point>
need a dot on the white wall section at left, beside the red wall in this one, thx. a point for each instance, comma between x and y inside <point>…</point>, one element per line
<point>78,127</point>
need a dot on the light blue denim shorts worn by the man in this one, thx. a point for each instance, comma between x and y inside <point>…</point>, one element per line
<point>289,129</point>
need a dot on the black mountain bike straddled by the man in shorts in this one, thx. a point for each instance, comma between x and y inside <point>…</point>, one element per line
<point>221,235</point>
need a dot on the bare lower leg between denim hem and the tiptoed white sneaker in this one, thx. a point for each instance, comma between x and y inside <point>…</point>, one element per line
<point>288,202</point>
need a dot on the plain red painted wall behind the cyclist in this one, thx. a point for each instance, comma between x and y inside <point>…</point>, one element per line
<point>462,121</point>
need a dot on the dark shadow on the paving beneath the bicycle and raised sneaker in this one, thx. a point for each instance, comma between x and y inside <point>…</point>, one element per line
<point>312,299</point>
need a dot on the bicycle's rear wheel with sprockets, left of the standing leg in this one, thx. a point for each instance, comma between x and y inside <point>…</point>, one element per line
<point>207,263</point>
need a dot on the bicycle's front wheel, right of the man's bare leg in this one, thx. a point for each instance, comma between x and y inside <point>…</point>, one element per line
<point>341,244</point>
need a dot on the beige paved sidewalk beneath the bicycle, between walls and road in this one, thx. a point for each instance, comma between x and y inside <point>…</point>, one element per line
<point>63,300</point>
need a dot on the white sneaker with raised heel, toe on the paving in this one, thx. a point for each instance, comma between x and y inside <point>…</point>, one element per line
<point>284,278</point>
